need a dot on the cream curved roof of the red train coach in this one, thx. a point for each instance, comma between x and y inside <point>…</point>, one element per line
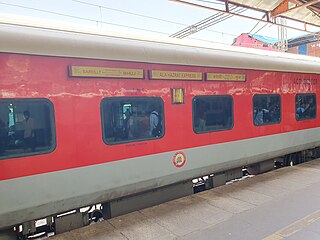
<point>45,38</point>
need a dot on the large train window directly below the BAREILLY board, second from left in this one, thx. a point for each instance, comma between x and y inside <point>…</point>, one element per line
<point>127,119</point>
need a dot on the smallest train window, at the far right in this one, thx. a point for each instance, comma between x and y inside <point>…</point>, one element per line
<point>306,106</point>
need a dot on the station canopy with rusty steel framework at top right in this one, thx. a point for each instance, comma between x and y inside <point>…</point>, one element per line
<point>306,12</point>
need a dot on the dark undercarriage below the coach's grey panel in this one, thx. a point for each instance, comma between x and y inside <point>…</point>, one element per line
<point>78,218</point>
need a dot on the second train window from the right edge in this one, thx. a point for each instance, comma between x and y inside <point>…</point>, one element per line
<point>266,109</point>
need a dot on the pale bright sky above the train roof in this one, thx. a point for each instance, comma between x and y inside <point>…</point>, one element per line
<point>140,17</point>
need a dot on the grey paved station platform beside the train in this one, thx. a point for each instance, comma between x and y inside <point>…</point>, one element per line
<point>281,204</point>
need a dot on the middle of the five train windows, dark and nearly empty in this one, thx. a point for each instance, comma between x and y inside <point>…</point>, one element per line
<point>212,113</point>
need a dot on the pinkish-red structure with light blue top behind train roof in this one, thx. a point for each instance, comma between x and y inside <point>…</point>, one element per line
<point>256,41</point>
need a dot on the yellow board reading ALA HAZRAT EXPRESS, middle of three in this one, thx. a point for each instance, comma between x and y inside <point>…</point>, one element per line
<point>174,75</point>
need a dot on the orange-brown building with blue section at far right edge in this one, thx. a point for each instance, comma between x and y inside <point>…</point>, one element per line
<point>308,44</point>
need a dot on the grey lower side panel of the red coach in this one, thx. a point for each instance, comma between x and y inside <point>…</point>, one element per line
<point>34,197</point>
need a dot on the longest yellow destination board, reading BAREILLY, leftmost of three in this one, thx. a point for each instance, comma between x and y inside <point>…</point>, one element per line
<point>83,71</point>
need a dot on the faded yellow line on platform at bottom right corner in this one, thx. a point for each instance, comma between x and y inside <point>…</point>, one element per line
<point>294,227</point>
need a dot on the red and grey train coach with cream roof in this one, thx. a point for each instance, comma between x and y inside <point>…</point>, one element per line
<point>89,118</point>
